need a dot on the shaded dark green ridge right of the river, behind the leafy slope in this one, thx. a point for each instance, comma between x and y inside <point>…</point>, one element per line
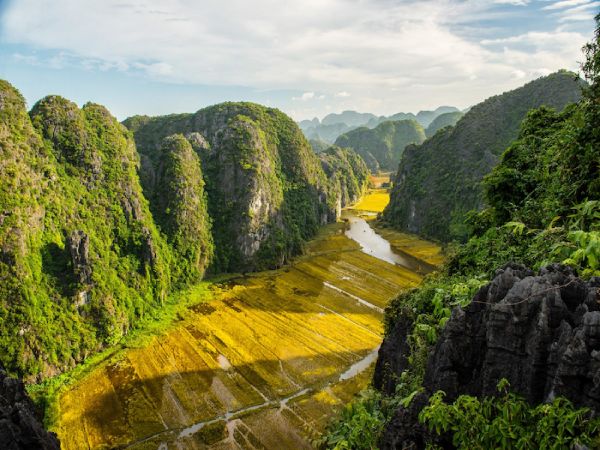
<point>439,181</point>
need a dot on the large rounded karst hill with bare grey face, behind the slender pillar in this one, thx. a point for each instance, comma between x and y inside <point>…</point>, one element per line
<point>267,192</point>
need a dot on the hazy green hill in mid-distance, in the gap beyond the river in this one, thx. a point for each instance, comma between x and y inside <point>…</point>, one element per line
<point>382,147</point>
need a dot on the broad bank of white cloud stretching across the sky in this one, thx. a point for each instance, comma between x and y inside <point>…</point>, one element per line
<point>391,55</point>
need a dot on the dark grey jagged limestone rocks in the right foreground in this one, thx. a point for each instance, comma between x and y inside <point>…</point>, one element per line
<point>541,332</point>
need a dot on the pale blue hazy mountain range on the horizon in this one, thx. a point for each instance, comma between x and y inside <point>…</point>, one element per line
<point>334,125</point>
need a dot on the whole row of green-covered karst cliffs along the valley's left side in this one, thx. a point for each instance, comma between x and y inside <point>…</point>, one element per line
<point>85,255</point>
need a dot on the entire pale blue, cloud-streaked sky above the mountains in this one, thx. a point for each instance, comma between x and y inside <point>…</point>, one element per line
<point>307,58</point>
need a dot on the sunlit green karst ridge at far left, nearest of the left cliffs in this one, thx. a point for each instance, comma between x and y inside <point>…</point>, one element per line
<point>80,257</point>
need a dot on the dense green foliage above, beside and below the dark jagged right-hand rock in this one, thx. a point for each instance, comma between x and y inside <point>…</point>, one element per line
<point>543,205</point>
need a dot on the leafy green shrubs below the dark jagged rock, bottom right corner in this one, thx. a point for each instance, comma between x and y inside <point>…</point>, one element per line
<point>509,422</point>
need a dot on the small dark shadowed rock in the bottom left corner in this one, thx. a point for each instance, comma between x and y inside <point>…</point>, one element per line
<point>20,426</point>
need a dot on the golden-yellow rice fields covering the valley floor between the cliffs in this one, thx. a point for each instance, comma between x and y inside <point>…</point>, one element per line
<point>263,364</point>
